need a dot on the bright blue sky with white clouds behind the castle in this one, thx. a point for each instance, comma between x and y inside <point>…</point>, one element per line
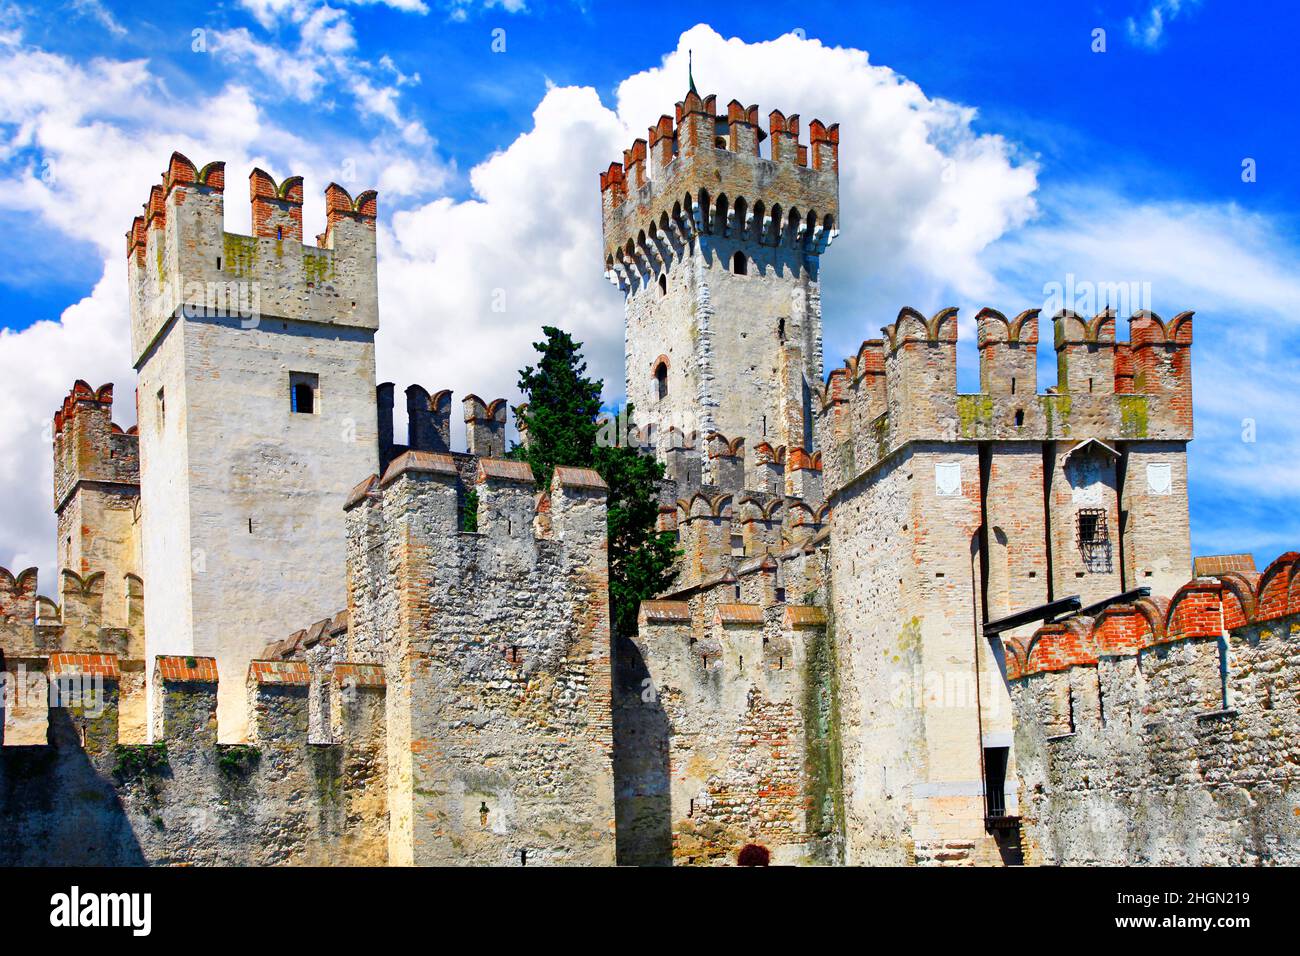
<point>1117,166</point>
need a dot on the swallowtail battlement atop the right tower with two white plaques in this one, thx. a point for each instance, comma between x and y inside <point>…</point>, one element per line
<point>903,388</point>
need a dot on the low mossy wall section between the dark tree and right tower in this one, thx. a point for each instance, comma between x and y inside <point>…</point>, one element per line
<point>721,734</point>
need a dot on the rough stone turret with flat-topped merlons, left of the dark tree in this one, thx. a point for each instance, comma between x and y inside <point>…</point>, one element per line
<point>497,647</point>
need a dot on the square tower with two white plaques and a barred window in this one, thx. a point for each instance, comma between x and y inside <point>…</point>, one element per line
<point>956,511</point>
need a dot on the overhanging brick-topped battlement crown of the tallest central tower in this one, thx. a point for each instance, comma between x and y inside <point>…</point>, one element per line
<point>704,174</point>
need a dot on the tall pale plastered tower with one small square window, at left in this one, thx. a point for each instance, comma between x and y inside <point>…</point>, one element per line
<point>257,412</point>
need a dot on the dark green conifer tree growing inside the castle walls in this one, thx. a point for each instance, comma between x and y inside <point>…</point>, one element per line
<point>561,419</point>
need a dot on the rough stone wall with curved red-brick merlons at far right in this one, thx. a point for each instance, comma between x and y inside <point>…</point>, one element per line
<point>1164,732</point>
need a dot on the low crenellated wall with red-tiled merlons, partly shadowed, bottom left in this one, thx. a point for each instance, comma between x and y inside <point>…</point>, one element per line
<point>185,799</point>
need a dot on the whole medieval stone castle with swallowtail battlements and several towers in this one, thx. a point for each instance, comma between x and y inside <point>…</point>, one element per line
<point>909,626</point>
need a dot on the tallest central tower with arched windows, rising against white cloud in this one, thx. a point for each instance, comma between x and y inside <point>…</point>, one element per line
<point>717,249</point>
